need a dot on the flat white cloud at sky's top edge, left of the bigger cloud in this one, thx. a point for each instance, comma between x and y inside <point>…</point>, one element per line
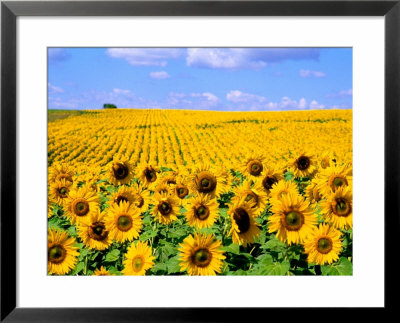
<point>146,56</point>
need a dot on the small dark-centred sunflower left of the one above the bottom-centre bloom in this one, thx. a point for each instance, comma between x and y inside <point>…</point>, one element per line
<point>166,208</point>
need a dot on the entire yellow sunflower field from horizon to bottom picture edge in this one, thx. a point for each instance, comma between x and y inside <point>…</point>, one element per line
<point>177,192</point>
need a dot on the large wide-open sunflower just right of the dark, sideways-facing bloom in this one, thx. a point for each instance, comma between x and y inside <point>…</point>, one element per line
<point>292,218</point>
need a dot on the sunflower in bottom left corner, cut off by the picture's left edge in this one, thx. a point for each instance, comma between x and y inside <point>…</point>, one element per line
<point>61,252</point>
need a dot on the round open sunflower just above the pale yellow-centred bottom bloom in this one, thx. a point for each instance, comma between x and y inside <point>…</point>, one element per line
<point>123,222</point>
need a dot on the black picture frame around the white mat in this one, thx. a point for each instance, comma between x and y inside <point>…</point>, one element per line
<point>11,10</point>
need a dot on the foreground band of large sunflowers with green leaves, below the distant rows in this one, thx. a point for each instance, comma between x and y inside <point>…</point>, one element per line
<point>293,217</point>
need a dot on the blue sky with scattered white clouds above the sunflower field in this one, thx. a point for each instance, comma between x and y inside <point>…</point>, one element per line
<point>227,79</point>
